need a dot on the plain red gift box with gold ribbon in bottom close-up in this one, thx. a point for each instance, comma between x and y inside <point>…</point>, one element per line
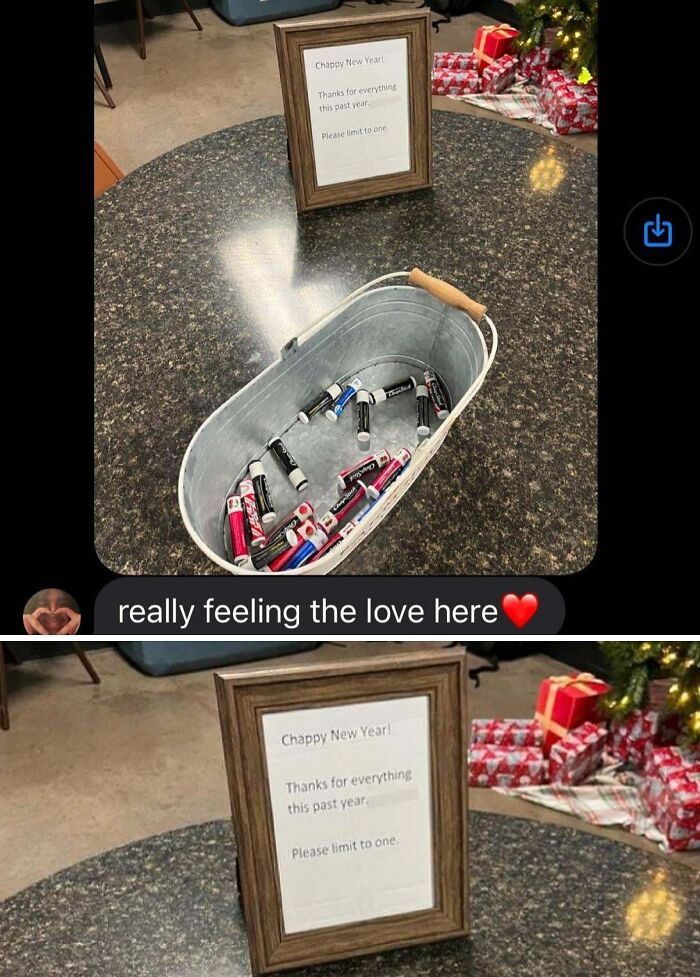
<point>567,701</point>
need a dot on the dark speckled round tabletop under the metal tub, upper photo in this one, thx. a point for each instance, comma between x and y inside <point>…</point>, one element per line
<point>204,271</point>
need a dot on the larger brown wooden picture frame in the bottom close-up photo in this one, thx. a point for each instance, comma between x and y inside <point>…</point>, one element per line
<point>247,695</point>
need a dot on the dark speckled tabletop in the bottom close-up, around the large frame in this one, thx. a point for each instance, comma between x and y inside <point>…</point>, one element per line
<point>545,901</point>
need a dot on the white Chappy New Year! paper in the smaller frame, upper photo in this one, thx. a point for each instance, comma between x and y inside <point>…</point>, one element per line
<point>358,102</point>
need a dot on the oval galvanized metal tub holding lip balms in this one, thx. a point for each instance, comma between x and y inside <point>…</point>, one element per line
<point>381,332</point>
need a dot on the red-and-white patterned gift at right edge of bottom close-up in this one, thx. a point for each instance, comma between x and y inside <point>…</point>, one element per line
<point>671,794</point>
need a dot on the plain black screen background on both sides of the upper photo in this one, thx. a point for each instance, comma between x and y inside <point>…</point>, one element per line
<point>643,577</point>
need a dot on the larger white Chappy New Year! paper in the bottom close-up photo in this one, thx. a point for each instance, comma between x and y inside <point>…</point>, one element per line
<point>351,802</point>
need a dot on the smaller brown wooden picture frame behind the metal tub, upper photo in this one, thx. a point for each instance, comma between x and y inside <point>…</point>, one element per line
<point>293,38</point>
